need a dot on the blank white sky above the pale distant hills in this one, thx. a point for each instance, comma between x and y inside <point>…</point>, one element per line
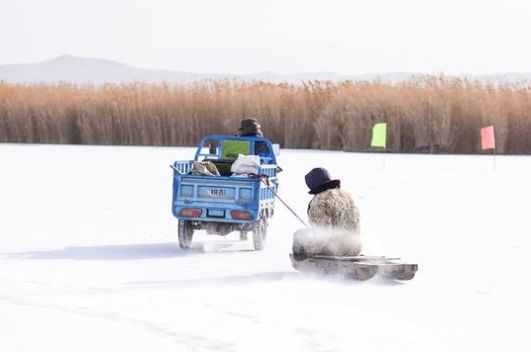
<point>285,36</point>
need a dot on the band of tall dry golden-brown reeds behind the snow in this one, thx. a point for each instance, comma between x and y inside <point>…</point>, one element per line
<point>422,115</point>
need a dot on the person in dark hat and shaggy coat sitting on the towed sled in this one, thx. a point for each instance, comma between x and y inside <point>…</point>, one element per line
<point>334,220</point>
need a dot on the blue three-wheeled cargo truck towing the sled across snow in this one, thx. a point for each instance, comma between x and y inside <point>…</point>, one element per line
<point>228,202</point>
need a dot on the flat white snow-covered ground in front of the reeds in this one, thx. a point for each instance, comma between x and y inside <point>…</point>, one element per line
<point>89,259</point>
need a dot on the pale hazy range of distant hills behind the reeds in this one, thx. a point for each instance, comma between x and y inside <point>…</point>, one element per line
<point>88,70</point>
